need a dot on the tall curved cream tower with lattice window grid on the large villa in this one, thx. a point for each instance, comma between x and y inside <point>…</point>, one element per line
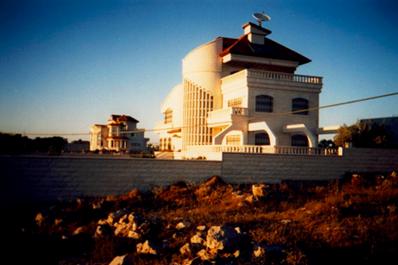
<point>201,70</point>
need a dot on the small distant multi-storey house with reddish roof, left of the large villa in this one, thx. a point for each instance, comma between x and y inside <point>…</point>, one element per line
<point>120,134</point>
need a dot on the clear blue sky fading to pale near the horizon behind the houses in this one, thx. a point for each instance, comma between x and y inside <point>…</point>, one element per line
<point>65,65</point>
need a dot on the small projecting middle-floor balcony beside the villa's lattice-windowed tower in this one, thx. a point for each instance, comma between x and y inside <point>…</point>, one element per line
<point>224,116</point>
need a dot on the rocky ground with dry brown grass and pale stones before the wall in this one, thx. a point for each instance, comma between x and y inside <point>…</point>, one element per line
<point>352,220</point>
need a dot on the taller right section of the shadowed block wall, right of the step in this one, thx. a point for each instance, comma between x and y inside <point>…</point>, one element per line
<point>238,167</point>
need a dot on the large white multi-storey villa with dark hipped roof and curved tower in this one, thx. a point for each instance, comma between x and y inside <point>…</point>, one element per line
<point>241,95</point>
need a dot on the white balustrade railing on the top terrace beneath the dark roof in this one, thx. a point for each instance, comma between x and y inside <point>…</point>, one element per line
<point>285,77</point>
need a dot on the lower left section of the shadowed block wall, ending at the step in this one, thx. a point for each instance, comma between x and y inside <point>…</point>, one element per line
<point>26,178</point>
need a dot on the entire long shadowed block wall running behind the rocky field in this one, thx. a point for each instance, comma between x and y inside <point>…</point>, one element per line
<point>28,178</point>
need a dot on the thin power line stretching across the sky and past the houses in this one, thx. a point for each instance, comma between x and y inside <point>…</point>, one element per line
<point>272,113</point>
